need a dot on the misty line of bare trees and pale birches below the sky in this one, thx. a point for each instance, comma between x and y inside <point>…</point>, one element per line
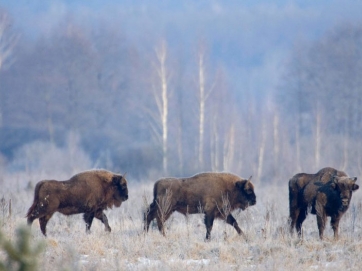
<point>148,108</point>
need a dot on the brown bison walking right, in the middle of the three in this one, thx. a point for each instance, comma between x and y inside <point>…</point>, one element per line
<point>213,194</point>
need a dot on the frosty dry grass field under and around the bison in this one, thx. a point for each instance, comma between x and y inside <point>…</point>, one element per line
<point>266,246</point>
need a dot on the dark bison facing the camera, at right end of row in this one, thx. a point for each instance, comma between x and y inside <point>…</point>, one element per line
<point>326,193</point>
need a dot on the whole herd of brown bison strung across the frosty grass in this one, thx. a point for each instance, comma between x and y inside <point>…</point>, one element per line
<point>216,195</point>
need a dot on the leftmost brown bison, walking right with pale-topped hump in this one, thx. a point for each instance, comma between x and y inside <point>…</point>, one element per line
<point>90,192</point>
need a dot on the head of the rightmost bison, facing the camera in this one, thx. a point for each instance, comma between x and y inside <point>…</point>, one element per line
<point>344,187</point>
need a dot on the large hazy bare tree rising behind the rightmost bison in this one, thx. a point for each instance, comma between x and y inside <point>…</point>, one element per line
<point>323,96</point>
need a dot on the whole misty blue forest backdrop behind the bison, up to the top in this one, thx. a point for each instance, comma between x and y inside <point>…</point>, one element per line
<point>179,87</point>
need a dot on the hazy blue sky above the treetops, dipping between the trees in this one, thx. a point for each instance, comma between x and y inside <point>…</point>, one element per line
<point>253,38</point>
